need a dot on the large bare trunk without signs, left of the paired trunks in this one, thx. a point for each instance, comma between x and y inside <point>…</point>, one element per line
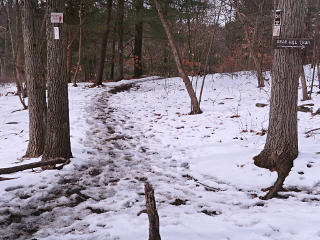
<point>35,77</point>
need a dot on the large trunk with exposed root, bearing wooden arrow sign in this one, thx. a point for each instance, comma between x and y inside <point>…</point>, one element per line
<point>281,147</point>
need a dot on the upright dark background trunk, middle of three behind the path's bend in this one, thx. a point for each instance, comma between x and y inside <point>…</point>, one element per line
<point>120,15</point>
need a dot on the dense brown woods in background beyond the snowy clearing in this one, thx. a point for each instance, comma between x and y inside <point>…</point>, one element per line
<point>109,40</point>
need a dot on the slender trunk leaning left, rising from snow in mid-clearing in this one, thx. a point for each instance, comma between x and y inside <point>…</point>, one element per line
<point>195,108</point>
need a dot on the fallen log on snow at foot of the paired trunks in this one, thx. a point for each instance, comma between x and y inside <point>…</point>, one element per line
<point>32,165</point>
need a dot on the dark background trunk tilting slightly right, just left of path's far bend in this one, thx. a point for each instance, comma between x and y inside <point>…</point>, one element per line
<point>104,45</point>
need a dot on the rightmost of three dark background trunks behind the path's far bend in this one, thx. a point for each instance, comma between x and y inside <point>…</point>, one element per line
<point>138,39</point>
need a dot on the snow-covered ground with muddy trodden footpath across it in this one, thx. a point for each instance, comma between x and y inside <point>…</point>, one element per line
<point>206,185</point>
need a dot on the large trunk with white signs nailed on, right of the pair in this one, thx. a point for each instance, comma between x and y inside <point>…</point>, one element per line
<point>58,126</point>
